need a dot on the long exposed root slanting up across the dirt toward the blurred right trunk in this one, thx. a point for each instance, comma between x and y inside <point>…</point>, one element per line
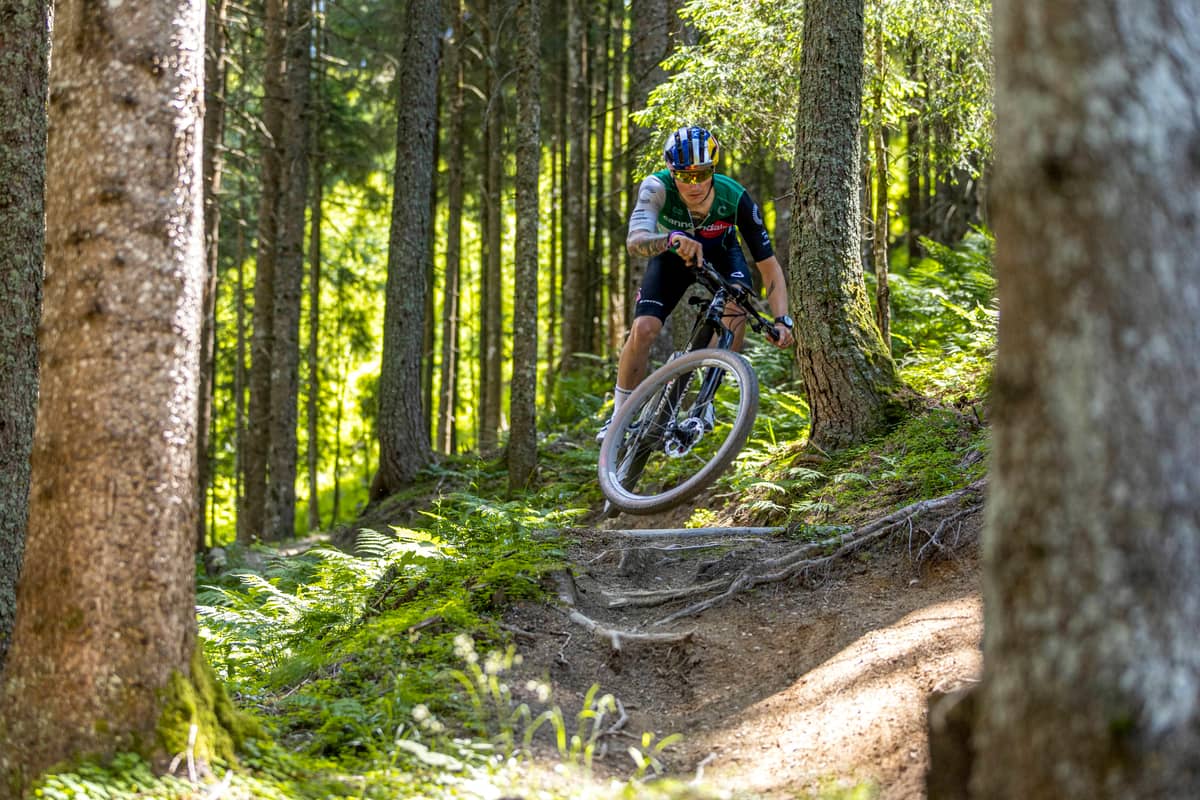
<point>807,557</point>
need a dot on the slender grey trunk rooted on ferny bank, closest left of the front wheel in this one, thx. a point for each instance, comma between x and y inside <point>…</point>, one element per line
<point>524,395</point>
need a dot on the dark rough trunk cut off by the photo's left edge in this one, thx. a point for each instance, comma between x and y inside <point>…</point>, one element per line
<point>26,39</point>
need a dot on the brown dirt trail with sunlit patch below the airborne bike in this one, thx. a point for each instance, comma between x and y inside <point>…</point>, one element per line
<point>800,685</point>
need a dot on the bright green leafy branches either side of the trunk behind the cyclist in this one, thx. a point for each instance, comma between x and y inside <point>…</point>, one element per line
<point>746,67</point>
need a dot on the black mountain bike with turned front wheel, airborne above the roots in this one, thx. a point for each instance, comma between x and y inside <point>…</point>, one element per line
<point>687,423</point>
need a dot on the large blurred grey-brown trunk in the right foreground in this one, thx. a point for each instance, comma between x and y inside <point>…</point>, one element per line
<point>1091,672</point>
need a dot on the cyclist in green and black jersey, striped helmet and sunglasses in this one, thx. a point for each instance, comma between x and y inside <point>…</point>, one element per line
<point>687,213</point>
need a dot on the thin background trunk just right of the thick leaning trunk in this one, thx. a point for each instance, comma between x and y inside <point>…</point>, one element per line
<point>448,400</point>
